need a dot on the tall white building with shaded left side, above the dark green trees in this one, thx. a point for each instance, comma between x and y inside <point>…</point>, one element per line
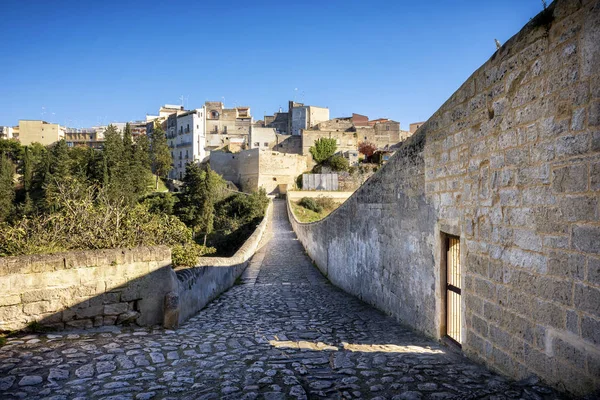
<point>187,140</point>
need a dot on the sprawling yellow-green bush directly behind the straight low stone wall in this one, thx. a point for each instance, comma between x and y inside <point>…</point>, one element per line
<point>86,218</point>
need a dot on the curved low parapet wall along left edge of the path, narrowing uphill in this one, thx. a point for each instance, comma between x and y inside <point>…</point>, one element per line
<point>212,276</point>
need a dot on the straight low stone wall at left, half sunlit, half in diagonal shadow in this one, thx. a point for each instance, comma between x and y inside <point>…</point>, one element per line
<point>83,289</point>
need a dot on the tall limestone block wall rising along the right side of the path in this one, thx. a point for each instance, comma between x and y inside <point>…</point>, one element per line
<point>511,164</point>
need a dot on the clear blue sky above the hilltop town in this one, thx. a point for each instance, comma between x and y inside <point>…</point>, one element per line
<point>110,61</point>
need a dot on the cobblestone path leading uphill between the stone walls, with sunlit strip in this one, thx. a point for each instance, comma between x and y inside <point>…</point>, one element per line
<point>285,332</point>
